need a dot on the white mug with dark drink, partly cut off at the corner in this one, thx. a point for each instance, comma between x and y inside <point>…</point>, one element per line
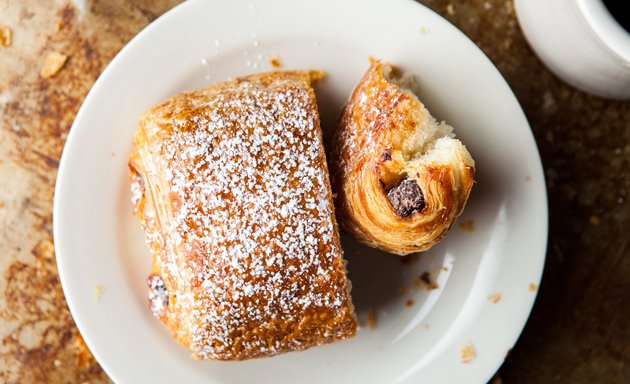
<point>581,42</point>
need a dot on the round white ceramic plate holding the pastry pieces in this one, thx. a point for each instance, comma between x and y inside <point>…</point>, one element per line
<point>100,244</point>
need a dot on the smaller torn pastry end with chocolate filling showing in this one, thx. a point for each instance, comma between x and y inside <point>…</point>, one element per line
<point>400,177</point>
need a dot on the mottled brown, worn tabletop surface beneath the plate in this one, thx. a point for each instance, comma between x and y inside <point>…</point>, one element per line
<point>579,329</point>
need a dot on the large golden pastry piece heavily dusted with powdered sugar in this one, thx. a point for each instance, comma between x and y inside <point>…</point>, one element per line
<point>231,186</point>
